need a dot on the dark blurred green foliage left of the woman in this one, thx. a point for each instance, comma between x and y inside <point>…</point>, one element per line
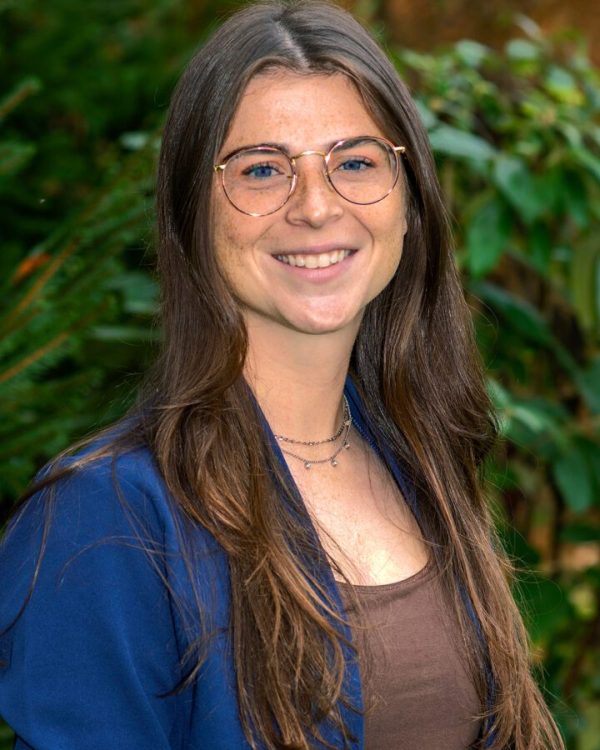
<point>87,87</point>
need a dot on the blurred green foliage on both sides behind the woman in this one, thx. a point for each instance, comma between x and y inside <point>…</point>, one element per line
<point>83,91</point>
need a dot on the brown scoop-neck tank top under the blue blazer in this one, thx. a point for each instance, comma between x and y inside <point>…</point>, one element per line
<point>419,695</point>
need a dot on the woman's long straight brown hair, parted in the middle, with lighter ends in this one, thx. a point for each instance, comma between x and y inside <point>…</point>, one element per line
<point>414,362</point>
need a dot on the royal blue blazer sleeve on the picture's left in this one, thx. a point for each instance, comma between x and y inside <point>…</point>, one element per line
<point>88,662</point>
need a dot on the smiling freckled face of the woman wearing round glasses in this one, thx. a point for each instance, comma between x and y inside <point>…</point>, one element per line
<point>312,244</point>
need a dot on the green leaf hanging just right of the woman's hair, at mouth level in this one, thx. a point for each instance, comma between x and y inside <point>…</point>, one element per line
<point>487,236</point>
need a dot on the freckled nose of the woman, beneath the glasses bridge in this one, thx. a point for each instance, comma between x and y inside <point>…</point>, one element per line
<point>313,201</point>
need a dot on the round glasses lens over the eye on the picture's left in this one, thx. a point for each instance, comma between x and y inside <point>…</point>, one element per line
<point>258,181</point>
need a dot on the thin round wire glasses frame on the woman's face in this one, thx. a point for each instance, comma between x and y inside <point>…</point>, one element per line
<point>326,156</point>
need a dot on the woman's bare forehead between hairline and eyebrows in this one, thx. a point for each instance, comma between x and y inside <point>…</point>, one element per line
<point>299,111</point>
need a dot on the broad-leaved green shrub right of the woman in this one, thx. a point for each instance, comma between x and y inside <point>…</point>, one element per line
<point>517,139</point>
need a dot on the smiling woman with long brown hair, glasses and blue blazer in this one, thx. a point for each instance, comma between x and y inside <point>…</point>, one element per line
<point>285,545</point>
